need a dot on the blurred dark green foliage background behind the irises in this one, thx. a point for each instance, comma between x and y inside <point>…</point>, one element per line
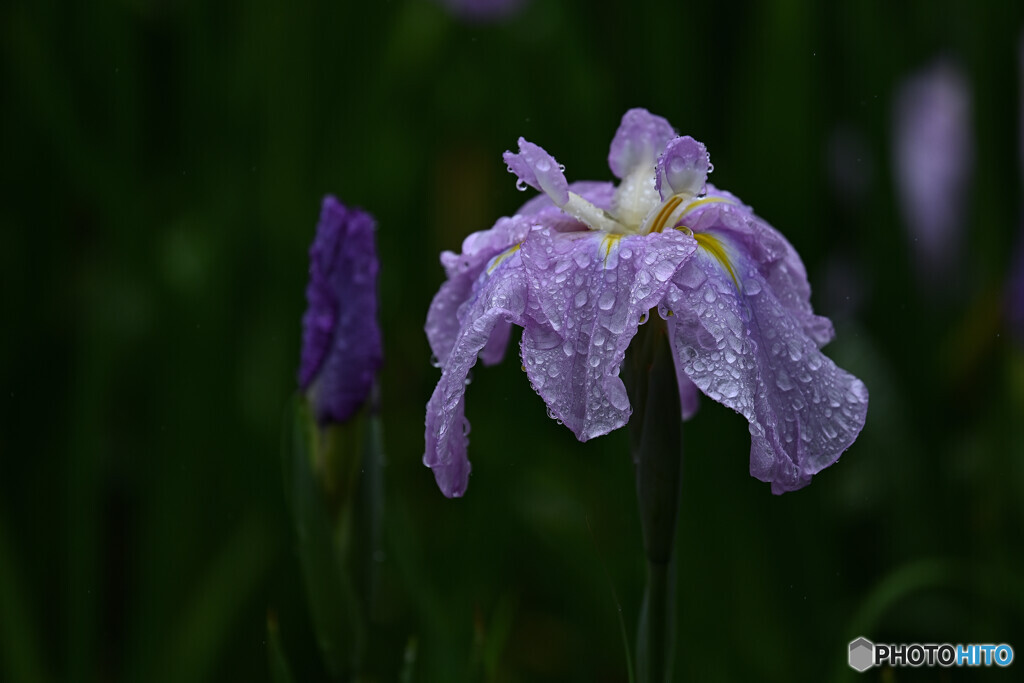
<point>163,167</point>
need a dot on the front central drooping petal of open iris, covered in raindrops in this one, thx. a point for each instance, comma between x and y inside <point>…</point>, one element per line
<point>588,293</point>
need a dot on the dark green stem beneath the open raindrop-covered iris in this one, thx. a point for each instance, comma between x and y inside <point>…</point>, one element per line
<point>656,441</point>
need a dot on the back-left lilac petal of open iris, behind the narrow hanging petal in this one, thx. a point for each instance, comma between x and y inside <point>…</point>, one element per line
<point>479,250</point>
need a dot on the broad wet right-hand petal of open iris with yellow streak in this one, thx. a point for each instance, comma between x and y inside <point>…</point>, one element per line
<point>734,336</point>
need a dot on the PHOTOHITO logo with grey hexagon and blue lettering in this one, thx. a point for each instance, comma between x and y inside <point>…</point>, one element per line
<point>865,655</point>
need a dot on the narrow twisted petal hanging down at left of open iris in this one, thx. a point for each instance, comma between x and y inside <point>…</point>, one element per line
<point>502,300</point>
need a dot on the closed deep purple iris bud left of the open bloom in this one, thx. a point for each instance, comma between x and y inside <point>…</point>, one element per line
<point>342,343</point>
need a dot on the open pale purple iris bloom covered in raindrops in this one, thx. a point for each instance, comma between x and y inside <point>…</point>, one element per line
<point>580,268</point>
